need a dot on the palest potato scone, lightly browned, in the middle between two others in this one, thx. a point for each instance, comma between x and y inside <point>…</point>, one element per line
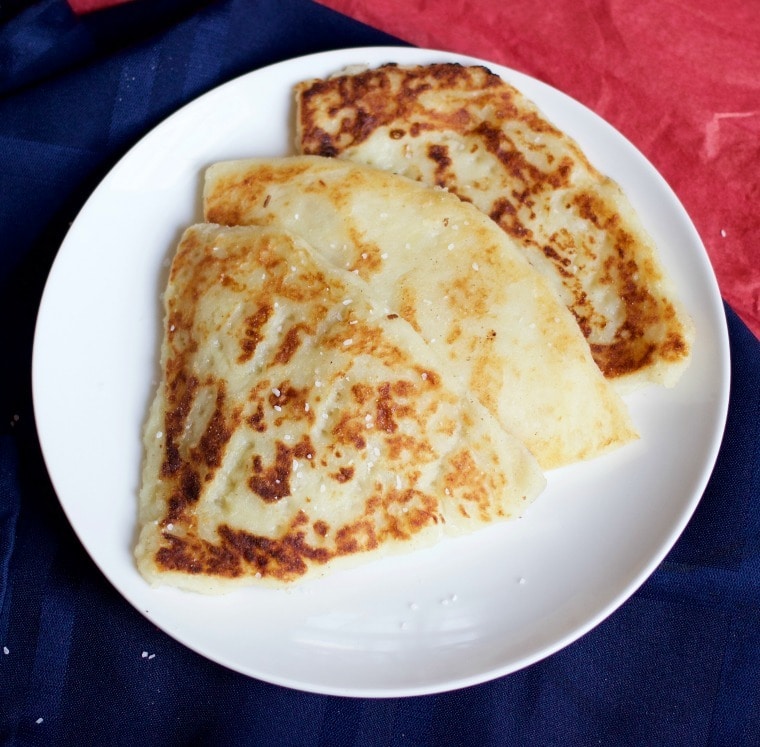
<point>458,280</point>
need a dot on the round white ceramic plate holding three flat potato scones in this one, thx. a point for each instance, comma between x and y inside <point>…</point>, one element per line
<point>464,612</point>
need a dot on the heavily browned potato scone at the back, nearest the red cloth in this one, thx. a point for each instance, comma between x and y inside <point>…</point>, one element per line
<point>466,129</point>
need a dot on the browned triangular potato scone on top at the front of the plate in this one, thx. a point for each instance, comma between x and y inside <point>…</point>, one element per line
<point>299,427</point>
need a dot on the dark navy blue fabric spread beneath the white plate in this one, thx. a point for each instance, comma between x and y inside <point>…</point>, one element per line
<point>678,664</point>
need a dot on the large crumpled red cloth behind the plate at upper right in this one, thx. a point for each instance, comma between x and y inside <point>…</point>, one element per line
<point>679,78</point>
